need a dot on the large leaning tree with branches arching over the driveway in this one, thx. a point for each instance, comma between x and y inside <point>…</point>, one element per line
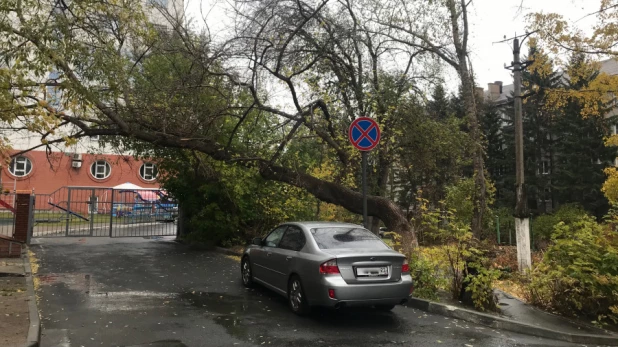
<point>293,76</point>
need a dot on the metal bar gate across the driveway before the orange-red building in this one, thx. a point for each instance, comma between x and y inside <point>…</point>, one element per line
<point>104,212</point>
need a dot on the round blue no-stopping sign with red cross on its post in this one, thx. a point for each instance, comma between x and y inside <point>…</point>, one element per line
<point>364,134</point>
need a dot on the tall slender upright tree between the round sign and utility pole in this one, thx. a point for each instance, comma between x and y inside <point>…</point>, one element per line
<point>442,28</point>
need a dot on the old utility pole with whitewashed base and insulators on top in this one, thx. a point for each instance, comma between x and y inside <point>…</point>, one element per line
<point>522,215</point>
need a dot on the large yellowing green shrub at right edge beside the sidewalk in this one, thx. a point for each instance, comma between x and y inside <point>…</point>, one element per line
<point>579,272</point>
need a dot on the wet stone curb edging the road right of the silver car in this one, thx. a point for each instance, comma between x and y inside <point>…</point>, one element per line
<point>507,324</point>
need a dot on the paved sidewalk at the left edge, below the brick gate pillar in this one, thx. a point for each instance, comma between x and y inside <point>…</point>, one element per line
<point>13,303</point>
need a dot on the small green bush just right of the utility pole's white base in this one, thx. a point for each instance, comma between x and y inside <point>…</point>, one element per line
<point>543,226</point>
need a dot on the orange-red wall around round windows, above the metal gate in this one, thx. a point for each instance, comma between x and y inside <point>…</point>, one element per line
<point>51,173</point>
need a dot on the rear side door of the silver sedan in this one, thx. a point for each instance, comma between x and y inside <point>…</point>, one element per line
<point>284,259</point>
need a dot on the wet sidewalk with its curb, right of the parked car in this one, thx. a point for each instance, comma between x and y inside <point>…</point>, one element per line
<point>517,316</point>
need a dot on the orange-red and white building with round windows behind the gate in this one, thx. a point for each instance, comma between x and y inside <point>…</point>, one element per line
<point>86,163</point>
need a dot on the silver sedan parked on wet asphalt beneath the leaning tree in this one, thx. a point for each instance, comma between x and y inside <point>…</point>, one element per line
<point>327,264</point>
